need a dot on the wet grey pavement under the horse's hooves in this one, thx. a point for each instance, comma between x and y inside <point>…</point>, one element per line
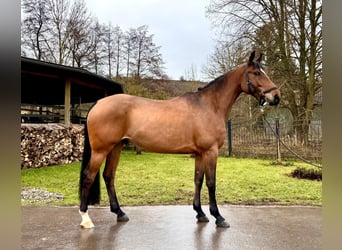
<point>173,227</point>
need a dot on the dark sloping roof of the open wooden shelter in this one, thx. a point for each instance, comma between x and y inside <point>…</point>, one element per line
<point>43,83</point>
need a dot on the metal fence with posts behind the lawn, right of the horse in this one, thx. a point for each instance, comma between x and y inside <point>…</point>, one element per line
<point>260,140</point>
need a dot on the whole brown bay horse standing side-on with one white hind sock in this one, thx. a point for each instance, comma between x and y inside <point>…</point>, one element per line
<point>193,123</point>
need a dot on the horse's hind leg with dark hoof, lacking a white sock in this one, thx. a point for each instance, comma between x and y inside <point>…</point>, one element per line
<point>109,178</point>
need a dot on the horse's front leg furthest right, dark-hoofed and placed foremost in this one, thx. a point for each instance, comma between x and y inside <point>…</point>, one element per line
<point>210,176</point>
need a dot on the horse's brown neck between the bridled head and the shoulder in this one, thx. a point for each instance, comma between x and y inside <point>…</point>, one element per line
<point>224,94</point>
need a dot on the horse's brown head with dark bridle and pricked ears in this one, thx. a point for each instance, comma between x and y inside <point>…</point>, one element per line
<point>258,84</point>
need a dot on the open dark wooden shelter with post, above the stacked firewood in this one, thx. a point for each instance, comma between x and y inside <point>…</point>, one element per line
<point>47,87</point>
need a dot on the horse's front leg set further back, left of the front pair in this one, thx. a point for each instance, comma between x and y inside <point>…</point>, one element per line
<point>198,179</point>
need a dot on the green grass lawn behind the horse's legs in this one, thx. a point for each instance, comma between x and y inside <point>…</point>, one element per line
<point>155,179</point>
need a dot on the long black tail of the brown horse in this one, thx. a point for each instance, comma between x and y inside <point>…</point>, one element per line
<point>94,193</point>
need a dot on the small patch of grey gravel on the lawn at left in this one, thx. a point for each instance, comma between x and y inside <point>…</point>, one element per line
<point>34,195</point>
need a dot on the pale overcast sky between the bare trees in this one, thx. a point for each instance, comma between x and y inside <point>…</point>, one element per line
<point>178,26</point>
